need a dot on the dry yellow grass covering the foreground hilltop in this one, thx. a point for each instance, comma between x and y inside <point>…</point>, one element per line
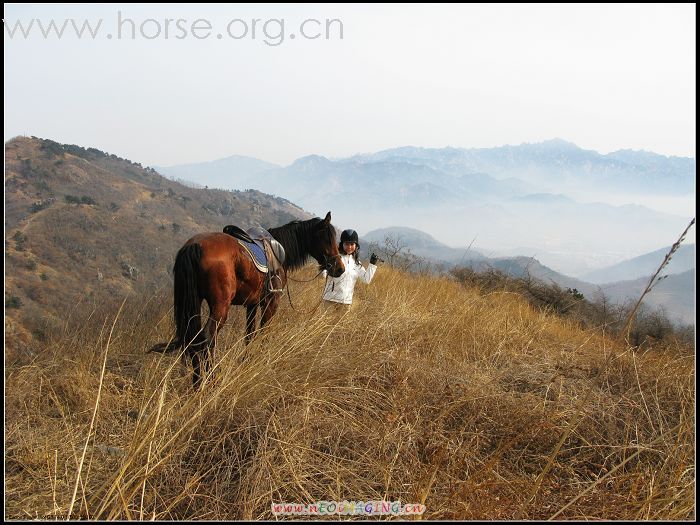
<point>476,405</point>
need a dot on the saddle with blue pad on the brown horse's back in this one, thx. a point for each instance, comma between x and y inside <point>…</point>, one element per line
<point>266,253</point>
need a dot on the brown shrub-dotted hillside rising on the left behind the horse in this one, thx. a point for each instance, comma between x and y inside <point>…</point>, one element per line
<point>86,227</point>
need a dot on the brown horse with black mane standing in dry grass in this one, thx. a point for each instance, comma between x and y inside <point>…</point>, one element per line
<point>214,267</point>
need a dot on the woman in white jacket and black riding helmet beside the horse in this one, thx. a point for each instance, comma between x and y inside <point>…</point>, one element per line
<point>340,289</point>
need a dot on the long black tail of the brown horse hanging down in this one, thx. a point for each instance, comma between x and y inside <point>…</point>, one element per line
<point>187,299</point>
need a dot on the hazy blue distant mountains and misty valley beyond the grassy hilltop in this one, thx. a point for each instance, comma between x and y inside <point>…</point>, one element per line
<point>553,195</point>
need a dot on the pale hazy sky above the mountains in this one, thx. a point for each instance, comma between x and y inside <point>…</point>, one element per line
<point>605,77</point>
